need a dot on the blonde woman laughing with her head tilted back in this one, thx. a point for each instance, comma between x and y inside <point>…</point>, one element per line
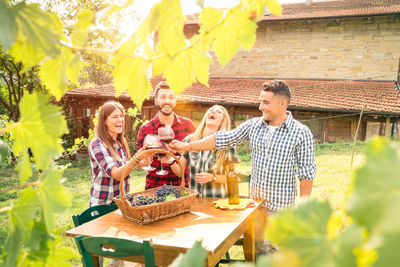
<point>206,170</point>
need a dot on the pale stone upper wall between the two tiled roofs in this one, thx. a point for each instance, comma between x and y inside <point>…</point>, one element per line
<point>345,48</point>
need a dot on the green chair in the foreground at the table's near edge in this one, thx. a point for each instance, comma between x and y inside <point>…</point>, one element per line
<point>115,248</point>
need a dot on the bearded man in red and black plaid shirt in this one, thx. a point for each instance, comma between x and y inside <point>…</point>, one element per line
<point>165,101</point>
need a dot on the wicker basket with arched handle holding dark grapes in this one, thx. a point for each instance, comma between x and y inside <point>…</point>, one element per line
<point>156,211</point>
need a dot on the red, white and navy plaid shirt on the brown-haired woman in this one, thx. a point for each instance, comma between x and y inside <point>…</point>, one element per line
<point>104,187</point>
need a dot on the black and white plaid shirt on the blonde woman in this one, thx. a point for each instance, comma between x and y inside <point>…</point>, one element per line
<point>203,161</point>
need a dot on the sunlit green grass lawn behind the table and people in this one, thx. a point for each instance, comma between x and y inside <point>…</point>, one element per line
<point>333,173</point>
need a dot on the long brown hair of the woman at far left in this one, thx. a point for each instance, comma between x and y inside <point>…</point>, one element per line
<point>102,132</point>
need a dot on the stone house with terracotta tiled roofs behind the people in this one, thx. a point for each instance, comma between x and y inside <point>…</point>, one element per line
<point>340,58</point>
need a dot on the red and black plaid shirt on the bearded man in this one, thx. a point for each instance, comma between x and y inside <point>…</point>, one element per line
<point>182,127</point>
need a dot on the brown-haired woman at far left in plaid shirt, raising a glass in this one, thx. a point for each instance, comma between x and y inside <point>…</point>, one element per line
<point>109,155</point>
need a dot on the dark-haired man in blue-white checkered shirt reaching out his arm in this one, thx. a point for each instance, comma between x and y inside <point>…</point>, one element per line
<point>281,148</point>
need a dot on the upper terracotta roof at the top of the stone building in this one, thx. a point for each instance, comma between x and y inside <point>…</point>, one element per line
<point>330,9</point>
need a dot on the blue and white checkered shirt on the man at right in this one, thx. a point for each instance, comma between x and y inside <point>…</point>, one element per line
<point>275,158</point>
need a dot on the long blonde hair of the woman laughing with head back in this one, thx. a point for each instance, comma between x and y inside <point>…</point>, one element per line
<point>225,125</point>
